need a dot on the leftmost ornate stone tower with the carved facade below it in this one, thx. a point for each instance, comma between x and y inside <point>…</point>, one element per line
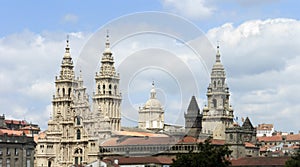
<point>65,142</point>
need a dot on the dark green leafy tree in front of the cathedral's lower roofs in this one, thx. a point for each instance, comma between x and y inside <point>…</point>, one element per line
<point>207,155</point>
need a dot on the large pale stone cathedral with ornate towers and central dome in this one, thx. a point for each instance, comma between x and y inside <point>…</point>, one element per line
<point>78,133</point>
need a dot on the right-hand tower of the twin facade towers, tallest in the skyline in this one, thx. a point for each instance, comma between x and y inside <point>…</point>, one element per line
<point>107,97</point>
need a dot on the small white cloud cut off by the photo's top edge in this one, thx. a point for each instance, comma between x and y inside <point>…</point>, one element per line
<point>194,9</point>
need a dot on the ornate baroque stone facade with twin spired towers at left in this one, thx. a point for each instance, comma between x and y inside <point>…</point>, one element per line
<point>74,131</point>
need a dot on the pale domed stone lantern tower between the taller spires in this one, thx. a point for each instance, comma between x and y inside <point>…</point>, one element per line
<point>151,115</point>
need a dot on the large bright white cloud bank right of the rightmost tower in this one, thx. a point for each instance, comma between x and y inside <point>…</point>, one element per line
<point>262,62</point>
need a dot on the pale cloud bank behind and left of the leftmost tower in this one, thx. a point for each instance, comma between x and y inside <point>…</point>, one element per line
<point>29,63</point>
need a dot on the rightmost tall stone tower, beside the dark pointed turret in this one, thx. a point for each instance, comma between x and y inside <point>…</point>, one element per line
<point>218,114</point>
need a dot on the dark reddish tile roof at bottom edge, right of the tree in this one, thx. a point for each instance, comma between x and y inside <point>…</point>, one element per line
<point>259,161</point>
